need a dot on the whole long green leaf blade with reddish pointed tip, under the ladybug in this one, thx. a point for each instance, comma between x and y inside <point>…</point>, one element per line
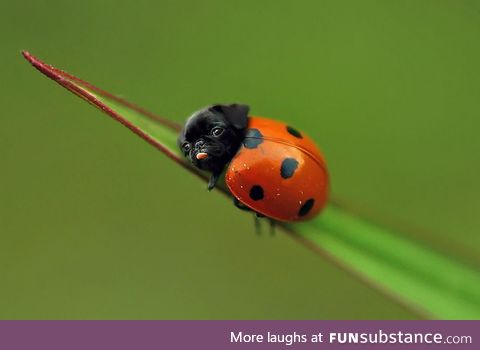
<point>412,274</point>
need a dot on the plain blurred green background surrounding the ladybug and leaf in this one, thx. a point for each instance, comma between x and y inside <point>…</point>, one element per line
<point>95,223</point>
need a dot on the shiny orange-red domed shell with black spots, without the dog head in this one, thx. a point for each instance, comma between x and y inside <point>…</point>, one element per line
<point>278,172</point>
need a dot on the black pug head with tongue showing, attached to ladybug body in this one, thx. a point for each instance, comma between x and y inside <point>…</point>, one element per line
<point>212,136</point>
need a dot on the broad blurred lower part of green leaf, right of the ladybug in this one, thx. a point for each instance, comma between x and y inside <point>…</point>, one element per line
<point>417,276</point>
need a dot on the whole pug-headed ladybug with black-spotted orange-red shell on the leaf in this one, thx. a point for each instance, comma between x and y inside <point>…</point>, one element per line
<point>270,167</point>
